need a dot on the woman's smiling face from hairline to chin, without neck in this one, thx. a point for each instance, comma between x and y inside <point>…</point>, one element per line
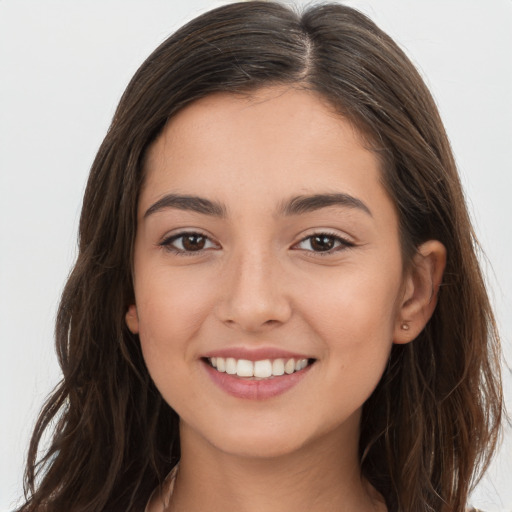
<point>265,236</point>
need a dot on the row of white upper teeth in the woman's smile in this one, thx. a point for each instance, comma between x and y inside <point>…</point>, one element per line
<point>262,369</point>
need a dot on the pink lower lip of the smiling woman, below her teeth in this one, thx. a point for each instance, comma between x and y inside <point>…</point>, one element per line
<point>263,389</point>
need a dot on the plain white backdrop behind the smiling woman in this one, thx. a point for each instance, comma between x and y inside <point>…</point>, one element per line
<point>63,67</point>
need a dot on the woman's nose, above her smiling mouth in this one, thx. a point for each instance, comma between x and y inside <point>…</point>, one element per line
<point>254,296</point>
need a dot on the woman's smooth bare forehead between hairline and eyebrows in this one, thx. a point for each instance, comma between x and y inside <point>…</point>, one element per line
<point>272,142</point>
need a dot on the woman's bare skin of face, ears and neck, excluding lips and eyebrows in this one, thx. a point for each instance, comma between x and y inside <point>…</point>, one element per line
<point>259,282</point>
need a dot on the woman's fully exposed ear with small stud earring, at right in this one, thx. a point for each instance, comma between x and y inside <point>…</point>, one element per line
<point>421,288</point>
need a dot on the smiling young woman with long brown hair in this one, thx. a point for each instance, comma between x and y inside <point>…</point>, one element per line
<point>277,303</point>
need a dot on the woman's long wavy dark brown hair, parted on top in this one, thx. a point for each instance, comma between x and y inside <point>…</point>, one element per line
<point>432,423</point>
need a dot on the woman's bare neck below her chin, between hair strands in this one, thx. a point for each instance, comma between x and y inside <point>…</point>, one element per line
<point>323,476</point>
